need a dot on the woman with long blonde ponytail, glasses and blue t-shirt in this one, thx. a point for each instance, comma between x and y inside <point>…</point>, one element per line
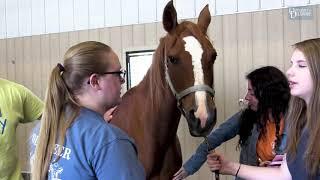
<point>73,141</point>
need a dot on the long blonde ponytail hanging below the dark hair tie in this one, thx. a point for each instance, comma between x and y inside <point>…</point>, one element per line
<point>54,122</point>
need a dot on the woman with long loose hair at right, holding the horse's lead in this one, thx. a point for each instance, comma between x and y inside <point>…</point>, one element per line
<point>303,149</point>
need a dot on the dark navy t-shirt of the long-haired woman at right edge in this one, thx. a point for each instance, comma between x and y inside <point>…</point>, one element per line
<point>296,165</point>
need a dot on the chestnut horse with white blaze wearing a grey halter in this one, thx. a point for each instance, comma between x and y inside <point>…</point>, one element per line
<point>179,81</point>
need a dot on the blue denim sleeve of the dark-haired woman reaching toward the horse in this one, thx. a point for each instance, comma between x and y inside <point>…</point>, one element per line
<point>225,132</point>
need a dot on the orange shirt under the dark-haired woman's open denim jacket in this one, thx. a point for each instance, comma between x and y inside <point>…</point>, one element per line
<point>266,143</point>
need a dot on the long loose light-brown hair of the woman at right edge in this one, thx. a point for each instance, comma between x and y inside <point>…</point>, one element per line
<point>302,115</point>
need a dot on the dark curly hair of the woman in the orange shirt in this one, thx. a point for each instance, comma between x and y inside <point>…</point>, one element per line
<point>271,88</point>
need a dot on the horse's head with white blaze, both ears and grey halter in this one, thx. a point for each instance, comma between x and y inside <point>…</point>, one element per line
<point>189,58</point>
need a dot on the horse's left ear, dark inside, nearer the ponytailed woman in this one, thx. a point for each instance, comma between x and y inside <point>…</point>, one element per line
<point>169,17</point>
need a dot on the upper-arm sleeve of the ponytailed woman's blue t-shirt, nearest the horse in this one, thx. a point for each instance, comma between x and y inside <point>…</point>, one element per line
<point>118,160</point>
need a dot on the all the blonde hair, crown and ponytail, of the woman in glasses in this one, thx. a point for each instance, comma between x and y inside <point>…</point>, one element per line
<point>61,107</point>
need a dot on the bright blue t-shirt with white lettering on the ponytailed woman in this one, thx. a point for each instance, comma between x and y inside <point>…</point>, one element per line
<point>95,150</point>
